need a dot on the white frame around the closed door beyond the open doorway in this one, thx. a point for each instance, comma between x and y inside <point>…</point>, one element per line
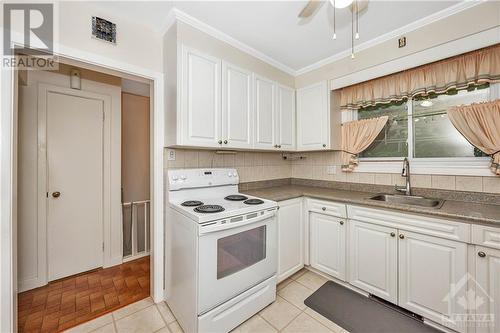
<point>43,237</point>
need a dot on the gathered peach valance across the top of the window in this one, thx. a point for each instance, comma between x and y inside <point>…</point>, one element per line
<point>465,71</point>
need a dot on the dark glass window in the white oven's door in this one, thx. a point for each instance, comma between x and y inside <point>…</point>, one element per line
<point>239,251</point>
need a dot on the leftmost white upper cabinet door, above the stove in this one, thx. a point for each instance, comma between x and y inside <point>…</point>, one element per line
<point>200,99</point>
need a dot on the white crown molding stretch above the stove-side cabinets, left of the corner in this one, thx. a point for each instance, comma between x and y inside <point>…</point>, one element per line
<point>176,14</point>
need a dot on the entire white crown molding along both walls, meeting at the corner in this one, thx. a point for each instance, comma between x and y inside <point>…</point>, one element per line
<point>175,15</point>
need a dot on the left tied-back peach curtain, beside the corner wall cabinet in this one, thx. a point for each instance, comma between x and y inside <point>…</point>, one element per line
<point>356,137</point>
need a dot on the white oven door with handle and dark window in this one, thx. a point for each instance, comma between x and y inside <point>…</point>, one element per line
<point>235,256</point>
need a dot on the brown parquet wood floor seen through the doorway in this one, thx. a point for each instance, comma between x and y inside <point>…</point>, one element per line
<point>76,299</point>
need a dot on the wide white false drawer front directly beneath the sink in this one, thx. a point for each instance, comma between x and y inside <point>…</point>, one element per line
<point>412,222</point>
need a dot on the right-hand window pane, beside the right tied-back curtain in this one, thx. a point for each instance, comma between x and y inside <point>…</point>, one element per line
<point>433,133</point>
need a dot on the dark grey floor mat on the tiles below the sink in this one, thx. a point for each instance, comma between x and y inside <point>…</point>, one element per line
<point>359,314</point>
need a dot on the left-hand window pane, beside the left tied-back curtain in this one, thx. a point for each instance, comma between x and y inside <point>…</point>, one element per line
<point>392,140</point>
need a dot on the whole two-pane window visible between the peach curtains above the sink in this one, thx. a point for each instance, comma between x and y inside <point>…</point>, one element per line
<point>420,128</point>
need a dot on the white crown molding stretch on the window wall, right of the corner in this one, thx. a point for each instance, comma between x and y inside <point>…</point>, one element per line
<point>393,34</point>
